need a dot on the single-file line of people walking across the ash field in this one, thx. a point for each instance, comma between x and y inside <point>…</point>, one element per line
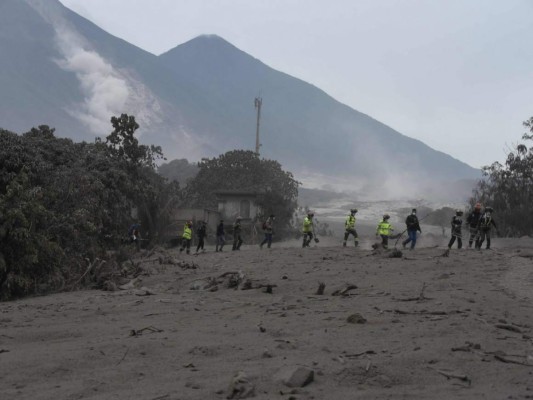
<point>479,223</point>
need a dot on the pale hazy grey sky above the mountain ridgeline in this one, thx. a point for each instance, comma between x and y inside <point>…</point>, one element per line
<point>456,74</point>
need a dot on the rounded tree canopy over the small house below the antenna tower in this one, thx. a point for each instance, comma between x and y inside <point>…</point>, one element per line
<point>244,171</point>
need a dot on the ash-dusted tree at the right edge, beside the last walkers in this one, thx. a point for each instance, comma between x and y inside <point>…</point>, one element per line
<point>509,189</point>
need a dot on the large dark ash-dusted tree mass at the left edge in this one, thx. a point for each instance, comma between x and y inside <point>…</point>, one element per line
<point>64,203</point>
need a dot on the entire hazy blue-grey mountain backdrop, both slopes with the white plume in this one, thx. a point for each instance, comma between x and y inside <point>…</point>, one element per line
<point>197,100</point>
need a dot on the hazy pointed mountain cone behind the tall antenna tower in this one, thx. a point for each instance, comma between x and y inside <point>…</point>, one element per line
<point>300,123</point>
